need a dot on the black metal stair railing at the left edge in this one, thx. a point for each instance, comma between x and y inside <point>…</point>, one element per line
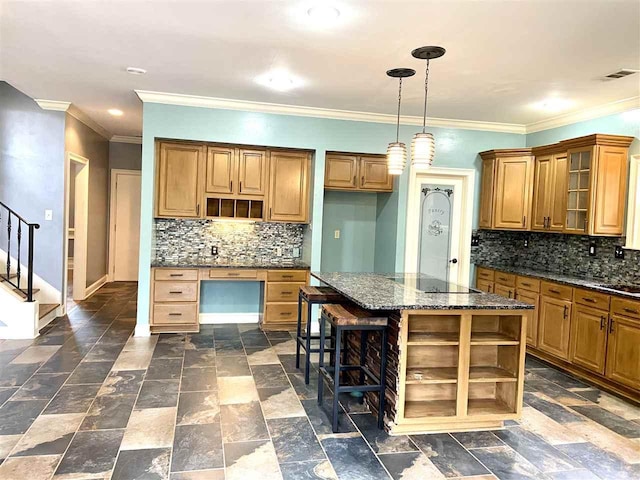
<point>15,220</point>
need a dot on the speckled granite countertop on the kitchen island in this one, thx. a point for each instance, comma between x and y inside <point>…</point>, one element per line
<point>379,291</point>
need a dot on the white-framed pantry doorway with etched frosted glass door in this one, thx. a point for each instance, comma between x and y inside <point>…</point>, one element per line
<point>439,222</point>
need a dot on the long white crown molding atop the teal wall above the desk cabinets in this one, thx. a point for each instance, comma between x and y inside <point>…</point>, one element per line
<point>282,109</point>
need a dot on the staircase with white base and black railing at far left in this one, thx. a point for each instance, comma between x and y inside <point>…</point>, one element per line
<point>24,309</point>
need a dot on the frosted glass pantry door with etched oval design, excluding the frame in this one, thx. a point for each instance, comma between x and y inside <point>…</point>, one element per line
<point>434,245</point>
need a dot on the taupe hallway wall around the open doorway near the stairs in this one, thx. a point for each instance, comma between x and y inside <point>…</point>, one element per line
<point>84,141</point>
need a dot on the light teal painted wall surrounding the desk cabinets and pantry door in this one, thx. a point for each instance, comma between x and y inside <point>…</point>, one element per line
<point>455,148</point>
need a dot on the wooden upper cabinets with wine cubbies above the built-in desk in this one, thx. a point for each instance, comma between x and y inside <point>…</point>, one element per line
<point>195,180</point>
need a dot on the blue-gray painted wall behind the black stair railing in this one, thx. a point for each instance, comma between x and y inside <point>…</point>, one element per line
<point>31,175</point>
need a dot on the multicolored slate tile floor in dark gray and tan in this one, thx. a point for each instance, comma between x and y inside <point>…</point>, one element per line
<point>88,400</point>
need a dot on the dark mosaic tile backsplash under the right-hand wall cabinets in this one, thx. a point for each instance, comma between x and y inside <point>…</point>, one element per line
<point>558,253</point>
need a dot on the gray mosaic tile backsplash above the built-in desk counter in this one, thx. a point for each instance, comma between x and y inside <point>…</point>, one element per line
<point>190,241</point>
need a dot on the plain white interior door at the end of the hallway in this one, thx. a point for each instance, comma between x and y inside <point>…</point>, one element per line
<point>125,225</point>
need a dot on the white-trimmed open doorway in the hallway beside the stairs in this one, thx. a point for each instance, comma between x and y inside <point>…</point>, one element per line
<point>76,211</point>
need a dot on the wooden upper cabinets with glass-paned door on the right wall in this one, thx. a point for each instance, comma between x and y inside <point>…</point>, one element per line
<point>575,186</point>
